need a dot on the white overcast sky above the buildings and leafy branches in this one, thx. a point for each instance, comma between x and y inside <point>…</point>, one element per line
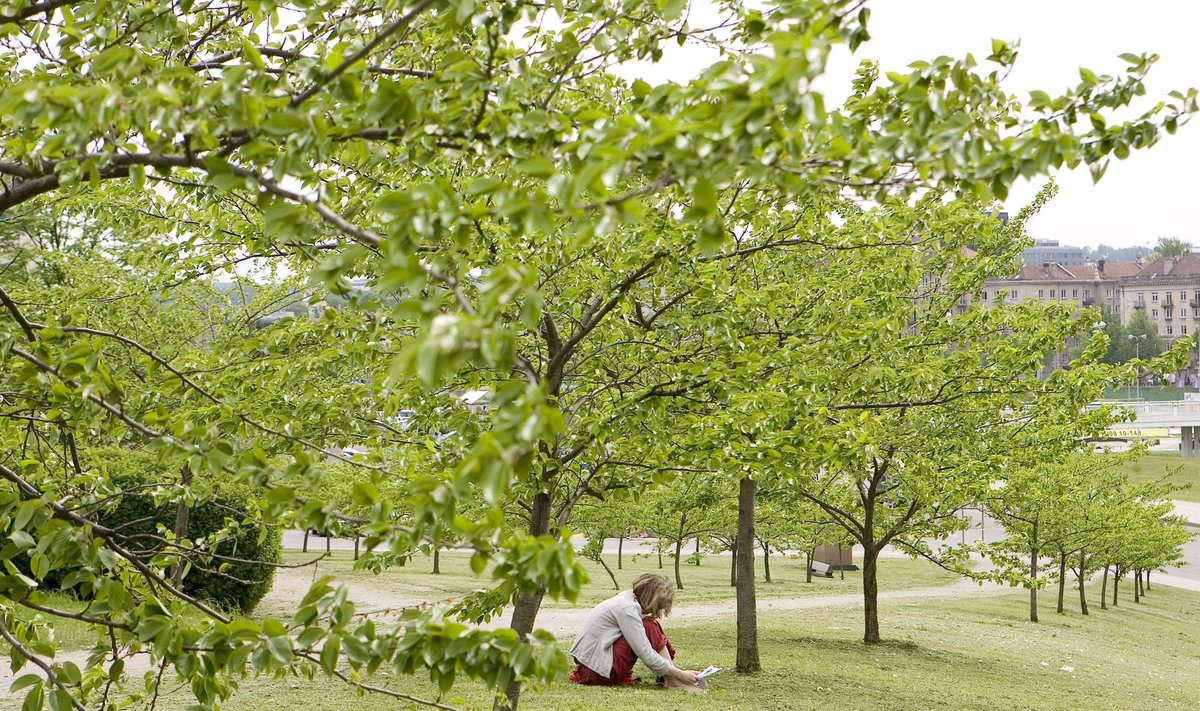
<point>1150,195</point>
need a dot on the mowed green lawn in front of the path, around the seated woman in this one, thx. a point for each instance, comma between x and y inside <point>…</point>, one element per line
<point>958,654</point>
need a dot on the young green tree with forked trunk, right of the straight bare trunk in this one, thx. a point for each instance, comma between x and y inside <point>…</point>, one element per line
<point>905,428</point>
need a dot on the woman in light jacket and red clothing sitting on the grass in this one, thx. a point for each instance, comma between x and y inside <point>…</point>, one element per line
<point>626,629</point>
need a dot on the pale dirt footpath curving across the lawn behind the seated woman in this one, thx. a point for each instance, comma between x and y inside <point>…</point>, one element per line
<point>291,584</point>
